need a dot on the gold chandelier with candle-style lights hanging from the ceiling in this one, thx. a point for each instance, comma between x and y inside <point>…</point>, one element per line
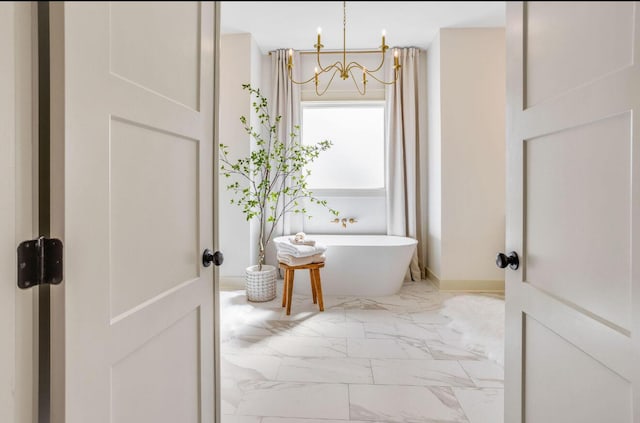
<point>344,69</point>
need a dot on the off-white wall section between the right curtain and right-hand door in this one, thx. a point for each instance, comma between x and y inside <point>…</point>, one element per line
<point>472,156</point>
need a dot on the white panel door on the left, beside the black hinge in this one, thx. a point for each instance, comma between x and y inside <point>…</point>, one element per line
<point>138,212</point>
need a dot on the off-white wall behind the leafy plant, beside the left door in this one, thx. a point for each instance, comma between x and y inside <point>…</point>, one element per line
<point>241,63</point>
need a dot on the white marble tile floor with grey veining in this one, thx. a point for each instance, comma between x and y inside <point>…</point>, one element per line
<point>362,360</point>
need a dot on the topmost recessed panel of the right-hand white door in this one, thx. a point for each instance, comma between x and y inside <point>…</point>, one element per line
<point>593,54</point>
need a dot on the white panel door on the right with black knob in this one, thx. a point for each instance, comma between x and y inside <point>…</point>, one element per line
<point>573,204</point>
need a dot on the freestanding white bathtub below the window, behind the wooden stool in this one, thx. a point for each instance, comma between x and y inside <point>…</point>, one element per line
<point>360,265</point>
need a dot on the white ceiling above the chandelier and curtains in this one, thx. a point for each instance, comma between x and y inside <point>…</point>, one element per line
<point>279,24</point>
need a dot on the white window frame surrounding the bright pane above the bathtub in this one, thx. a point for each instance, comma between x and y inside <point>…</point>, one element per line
<point>349,192</point>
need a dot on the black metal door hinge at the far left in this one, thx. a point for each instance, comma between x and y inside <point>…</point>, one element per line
<point>39,262</point>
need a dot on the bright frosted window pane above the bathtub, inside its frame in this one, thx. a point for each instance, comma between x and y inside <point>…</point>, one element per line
<point>356,159</point>
